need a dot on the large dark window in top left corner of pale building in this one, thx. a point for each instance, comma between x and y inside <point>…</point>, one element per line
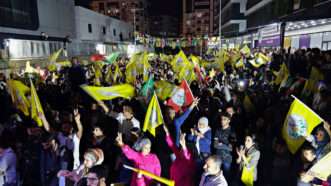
<point>19,14</point>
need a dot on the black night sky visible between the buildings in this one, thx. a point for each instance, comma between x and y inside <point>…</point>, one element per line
<point>168,7</point>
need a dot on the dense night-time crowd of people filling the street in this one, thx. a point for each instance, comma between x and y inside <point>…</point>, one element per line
<point>216,141</point>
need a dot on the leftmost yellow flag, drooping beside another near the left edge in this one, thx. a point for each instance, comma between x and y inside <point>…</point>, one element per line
<point>17,91</point>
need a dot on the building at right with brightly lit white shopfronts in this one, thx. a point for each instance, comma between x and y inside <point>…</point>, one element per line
<point>306,24</point>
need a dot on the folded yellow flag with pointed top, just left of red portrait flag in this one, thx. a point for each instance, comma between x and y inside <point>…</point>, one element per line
<point>153,116</point>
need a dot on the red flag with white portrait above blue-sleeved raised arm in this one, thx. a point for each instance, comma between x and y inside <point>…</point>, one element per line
<point>181,97</point>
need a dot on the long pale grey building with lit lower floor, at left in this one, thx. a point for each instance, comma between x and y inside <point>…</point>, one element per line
<point>49,25</point>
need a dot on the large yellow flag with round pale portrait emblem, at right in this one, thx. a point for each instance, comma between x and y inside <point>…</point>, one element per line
<point>300,121</point>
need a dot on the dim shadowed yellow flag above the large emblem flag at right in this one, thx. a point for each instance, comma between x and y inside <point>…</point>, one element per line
<point>311,83</point>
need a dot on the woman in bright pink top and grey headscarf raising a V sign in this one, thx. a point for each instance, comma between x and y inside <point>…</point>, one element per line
<point>142,159</point>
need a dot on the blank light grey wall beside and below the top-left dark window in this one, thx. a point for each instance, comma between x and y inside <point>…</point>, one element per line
<point>56,18</point>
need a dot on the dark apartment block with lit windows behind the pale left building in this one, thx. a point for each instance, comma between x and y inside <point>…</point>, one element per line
<point>131,11</point>
